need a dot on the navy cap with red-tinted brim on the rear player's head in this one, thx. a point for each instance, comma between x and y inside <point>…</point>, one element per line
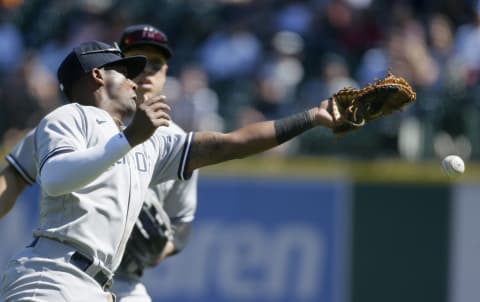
<point>144,34</point>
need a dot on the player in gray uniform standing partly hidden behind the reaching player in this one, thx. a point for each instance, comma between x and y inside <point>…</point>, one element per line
<point>174,202</point>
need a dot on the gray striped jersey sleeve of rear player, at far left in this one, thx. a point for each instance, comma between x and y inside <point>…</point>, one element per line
<point>21,159</point>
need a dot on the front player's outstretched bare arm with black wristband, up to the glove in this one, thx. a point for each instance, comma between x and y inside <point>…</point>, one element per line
<point>210,148</point>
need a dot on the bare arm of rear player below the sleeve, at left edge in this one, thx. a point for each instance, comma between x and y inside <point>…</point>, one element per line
<point>11,185</point>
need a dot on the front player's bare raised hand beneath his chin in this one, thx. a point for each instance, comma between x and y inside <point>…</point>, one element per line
<point>150,114</point>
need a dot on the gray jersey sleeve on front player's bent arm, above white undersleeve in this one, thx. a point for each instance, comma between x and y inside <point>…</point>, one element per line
<point>63,130</point>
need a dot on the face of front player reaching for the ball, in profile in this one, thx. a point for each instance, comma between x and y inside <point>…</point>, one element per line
<point>120,89</point>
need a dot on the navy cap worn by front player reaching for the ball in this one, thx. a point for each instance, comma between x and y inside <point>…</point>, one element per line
<point>94,54</point>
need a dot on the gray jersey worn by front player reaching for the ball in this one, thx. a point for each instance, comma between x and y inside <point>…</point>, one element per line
<point>98,218</point>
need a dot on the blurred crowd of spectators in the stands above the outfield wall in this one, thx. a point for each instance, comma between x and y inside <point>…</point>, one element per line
<point>240,61</point>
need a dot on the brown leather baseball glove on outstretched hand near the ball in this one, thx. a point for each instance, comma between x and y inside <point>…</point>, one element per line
<point>351,108</point>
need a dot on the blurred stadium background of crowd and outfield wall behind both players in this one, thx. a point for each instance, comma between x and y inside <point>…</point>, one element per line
<point>364,218</point>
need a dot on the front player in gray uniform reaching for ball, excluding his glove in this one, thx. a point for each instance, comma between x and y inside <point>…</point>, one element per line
<point>94,172</point>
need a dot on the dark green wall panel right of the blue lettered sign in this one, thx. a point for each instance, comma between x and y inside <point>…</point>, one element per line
<point>400,242</point>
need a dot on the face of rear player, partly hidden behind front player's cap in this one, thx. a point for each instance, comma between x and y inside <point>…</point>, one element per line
<point>151,80</point>
